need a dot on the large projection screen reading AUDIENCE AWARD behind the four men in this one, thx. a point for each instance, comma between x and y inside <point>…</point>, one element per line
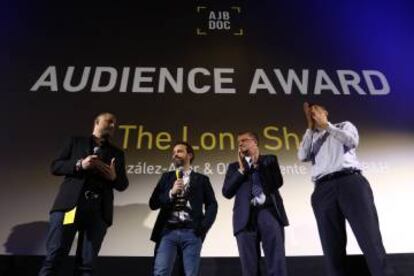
<point>202,71</point>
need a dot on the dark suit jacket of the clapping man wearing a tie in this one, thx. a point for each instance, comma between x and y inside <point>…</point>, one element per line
<point>239,185</point>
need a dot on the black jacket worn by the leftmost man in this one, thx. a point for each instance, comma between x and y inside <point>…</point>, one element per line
<point>70,190</point>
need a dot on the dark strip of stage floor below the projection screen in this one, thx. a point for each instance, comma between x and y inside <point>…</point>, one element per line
<point>11,265</point>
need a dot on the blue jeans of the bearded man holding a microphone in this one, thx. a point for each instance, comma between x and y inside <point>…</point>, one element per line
<point>184,240</point>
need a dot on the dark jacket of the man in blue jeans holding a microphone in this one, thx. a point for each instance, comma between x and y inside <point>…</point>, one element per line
<point>201,192</point>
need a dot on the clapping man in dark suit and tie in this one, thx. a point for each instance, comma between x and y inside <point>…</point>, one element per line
<point>258,213</point>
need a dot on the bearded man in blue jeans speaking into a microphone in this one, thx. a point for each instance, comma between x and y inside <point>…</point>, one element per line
<point>181,225</point>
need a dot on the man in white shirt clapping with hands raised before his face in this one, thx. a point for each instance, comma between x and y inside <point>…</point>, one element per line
<point>341,193</point>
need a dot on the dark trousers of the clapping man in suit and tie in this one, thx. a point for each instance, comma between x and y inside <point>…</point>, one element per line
<point>265,228</point>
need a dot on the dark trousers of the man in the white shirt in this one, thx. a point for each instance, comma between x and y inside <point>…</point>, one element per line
<point>348,197</point>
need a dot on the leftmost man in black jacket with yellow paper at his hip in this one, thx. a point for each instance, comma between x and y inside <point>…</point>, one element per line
<point>92,167</point>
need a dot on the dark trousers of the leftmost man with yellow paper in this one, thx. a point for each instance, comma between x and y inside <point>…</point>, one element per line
<point>92,229</point>
